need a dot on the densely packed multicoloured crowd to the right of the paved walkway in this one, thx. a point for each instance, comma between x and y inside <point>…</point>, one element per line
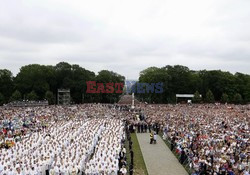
<point>212,139</point>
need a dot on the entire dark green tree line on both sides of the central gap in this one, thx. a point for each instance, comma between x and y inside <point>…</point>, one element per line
<point>39,82</point>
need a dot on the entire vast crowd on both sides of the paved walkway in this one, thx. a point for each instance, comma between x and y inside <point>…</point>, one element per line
<point>89,139</point>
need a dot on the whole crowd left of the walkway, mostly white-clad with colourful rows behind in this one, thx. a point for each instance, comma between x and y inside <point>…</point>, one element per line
<point>75,140</point>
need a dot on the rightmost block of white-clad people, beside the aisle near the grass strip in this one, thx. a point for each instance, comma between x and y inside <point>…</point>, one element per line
<point>105,159</point>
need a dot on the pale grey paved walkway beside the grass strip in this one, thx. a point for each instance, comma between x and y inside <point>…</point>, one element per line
<point>158,157</point>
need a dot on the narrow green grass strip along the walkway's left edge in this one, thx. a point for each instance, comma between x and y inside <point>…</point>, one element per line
<point>139,164</point>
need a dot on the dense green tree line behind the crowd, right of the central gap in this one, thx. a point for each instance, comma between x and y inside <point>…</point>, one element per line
<point>213,86</point>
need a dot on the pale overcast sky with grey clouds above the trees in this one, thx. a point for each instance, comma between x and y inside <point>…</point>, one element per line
<point>126,36</point>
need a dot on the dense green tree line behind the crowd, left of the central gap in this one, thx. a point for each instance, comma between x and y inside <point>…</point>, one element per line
<point>39,82</point>
